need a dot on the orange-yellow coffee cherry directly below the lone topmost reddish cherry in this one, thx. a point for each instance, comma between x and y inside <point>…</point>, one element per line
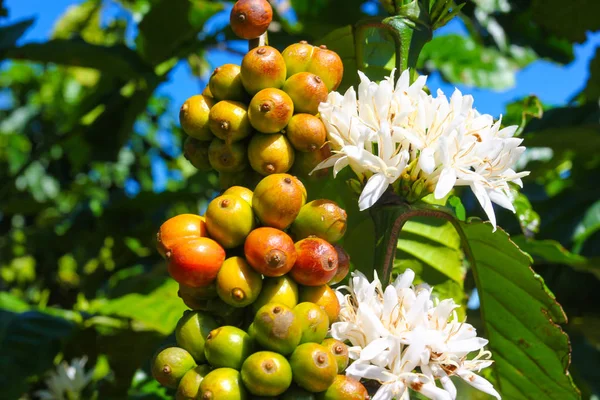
<point>263,67</point>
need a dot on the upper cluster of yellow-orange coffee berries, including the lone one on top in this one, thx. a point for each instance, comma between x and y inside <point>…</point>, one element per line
<point>260,118</point>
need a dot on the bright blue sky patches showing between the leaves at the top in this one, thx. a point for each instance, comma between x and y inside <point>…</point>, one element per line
<point>554,84</point>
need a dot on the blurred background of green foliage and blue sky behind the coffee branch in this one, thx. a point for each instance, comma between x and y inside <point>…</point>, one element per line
<point>90,162</point>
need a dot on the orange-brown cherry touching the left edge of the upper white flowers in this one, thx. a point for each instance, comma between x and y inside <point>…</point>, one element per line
<point>306,132</point>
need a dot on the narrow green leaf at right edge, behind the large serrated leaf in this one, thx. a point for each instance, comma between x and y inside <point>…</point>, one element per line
<point>552,252</point>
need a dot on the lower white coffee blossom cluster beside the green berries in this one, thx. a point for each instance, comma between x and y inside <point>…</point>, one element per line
<point>404,340</point>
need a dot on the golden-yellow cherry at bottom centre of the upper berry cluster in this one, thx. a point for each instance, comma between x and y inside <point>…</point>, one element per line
<point>270,154</point>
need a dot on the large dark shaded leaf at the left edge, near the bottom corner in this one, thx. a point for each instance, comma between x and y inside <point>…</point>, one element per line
<point>29,342</point>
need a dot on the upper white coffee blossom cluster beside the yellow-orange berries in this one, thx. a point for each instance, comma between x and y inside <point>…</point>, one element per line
<point>430,143</point>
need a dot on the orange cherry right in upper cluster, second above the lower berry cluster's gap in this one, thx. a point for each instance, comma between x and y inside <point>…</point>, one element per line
<point>307,91</point>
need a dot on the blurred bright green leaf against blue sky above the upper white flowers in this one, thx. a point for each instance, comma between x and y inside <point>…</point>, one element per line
<point>462,60</point>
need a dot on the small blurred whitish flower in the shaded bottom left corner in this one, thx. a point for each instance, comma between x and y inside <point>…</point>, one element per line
<point>67,382</point>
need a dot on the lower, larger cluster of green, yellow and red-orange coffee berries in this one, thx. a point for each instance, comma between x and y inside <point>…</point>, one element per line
<point>255,271</point>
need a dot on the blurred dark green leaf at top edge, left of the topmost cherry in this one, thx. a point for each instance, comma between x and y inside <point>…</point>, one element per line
<point>158,41</point>
